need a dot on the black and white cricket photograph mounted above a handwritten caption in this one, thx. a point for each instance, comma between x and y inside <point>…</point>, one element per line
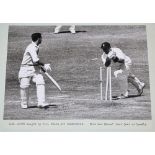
<point>77,72</point>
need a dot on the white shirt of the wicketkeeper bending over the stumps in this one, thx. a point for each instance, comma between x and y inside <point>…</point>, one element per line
<point>116,52</point>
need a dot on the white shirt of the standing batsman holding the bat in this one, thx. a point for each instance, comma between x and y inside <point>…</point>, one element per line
<point>30,57</point>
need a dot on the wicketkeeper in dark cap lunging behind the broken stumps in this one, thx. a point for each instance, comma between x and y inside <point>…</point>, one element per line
<point>124,74</point>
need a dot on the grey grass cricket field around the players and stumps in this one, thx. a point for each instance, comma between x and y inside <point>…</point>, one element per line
<point>70,56</point>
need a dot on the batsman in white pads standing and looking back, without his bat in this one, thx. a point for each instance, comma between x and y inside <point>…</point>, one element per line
<point>30,70</point>
